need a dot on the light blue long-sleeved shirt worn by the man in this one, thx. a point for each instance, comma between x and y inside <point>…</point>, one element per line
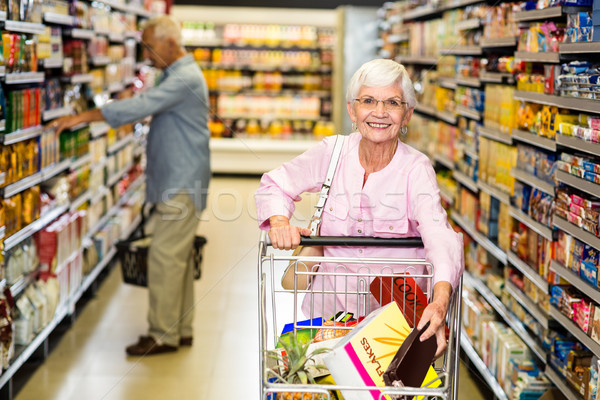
<point>177,151</point>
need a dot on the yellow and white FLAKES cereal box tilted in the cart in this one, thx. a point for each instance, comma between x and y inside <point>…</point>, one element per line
<point>363,355</point>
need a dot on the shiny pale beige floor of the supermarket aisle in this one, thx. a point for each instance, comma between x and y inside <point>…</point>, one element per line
<point>90,362</point>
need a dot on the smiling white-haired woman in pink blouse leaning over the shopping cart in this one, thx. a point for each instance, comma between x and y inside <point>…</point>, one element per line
<point>382,187</point>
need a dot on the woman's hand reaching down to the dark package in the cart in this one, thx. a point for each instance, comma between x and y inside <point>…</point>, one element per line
<point>435,314</point>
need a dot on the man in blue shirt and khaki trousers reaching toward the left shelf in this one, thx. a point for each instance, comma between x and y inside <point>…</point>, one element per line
<point>178,173</point>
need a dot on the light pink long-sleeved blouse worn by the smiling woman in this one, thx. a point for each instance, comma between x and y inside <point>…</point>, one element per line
<point>401,200</point>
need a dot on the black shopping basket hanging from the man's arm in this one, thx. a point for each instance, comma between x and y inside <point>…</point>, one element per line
<point>133,254</point>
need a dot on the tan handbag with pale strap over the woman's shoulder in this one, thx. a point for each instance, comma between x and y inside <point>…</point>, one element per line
<point>289,275</point>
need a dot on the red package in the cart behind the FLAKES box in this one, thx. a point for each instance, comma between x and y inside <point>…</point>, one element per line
<point>404,290</point>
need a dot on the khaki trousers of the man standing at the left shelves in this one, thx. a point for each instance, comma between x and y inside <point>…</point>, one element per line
<point>170,270</point>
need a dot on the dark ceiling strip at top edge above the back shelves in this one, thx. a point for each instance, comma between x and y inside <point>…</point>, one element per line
<point>327,4</point>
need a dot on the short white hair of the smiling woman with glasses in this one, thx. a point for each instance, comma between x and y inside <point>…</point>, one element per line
<point>380,73</point>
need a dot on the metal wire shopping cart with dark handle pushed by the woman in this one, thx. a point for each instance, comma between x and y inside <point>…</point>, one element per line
<point>277,304</point>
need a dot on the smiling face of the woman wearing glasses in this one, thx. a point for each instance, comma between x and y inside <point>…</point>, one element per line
<point>379,125</point>
